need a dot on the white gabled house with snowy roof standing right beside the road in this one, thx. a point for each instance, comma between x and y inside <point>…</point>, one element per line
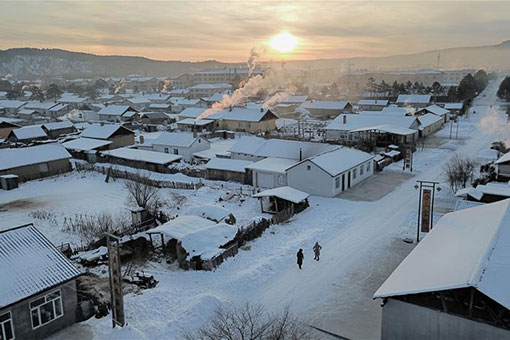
<point>331,172</point>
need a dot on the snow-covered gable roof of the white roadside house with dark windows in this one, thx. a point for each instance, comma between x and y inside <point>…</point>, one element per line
<point>339,160</point>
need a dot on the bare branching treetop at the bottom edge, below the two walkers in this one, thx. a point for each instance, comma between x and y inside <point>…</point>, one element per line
<point>251,322</point>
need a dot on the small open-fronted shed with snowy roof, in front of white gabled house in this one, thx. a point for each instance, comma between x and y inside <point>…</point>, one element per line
<point>279,199</point>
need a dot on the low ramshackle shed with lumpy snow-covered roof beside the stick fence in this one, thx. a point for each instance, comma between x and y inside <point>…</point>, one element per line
<point>195,242</point>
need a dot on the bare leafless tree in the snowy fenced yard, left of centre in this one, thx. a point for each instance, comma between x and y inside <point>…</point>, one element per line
<point>143,192</point>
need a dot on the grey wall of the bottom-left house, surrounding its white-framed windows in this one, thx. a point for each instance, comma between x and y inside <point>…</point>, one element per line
<point>21,317</point>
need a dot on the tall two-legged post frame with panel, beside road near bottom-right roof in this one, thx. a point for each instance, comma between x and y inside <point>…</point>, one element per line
<point>425,205</point>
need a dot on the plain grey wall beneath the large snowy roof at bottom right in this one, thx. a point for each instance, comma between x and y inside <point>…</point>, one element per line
<point>401,320</point>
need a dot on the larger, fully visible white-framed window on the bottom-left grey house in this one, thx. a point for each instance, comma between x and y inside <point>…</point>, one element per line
<point>46,309</point>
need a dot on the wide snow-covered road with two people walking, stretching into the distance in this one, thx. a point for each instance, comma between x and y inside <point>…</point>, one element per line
<point>336,292</point>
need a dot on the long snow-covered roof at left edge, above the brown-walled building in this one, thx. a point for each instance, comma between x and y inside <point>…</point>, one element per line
<point>13,158</point>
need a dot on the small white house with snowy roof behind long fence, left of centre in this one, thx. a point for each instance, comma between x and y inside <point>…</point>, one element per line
<point>179,143</point>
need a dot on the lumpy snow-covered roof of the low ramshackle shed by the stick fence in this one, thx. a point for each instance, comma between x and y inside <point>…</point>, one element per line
<point>198,236</point>
